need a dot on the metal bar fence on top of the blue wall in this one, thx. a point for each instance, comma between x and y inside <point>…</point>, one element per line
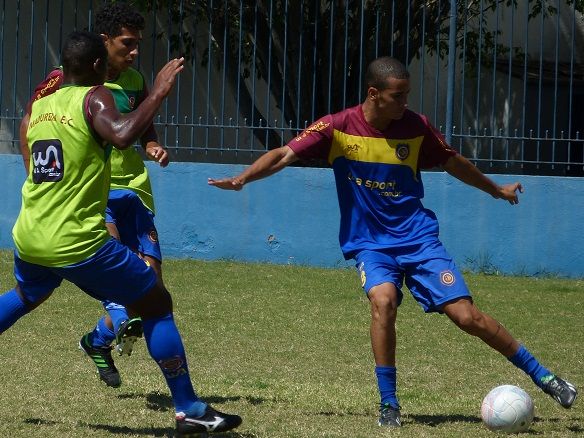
<point>504,83</point>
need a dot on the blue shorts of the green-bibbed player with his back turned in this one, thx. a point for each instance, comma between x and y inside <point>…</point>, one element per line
<point>114,273</point>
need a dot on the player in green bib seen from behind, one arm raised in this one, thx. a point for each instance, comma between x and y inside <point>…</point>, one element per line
<point>60,232</point>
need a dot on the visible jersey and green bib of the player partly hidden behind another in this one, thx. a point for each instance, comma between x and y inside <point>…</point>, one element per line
<point>127,167</point>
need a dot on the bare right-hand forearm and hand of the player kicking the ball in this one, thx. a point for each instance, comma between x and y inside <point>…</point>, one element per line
<point>464,170</point>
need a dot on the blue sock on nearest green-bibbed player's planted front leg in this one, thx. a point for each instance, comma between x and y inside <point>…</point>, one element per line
<point>166,348</point>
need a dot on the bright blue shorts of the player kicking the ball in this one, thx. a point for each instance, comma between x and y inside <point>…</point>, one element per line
<point>428,270</point>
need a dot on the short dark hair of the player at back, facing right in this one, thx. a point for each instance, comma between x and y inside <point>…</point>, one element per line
<point>110,19</point>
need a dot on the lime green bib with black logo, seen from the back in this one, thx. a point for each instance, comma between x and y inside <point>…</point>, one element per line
<point>62,216</point>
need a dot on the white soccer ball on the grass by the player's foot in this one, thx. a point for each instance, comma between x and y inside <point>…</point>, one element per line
<point>508,409</point>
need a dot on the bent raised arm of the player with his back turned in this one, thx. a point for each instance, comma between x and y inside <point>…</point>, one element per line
<point>123,130</point>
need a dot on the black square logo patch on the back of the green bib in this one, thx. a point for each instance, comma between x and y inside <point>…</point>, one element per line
<point>47,160</point>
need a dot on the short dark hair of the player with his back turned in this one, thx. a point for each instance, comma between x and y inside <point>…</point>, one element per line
<point>80,50</point>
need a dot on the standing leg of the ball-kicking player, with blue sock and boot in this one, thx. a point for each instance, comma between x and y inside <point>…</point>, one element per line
<point>384,303</point>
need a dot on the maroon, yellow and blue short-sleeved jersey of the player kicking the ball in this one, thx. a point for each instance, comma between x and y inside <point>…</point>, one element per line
<point>377,174</point>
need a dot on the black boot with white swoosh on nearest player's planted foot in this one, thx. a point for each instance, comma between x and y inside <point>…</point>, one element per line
<point>211,421</point>
